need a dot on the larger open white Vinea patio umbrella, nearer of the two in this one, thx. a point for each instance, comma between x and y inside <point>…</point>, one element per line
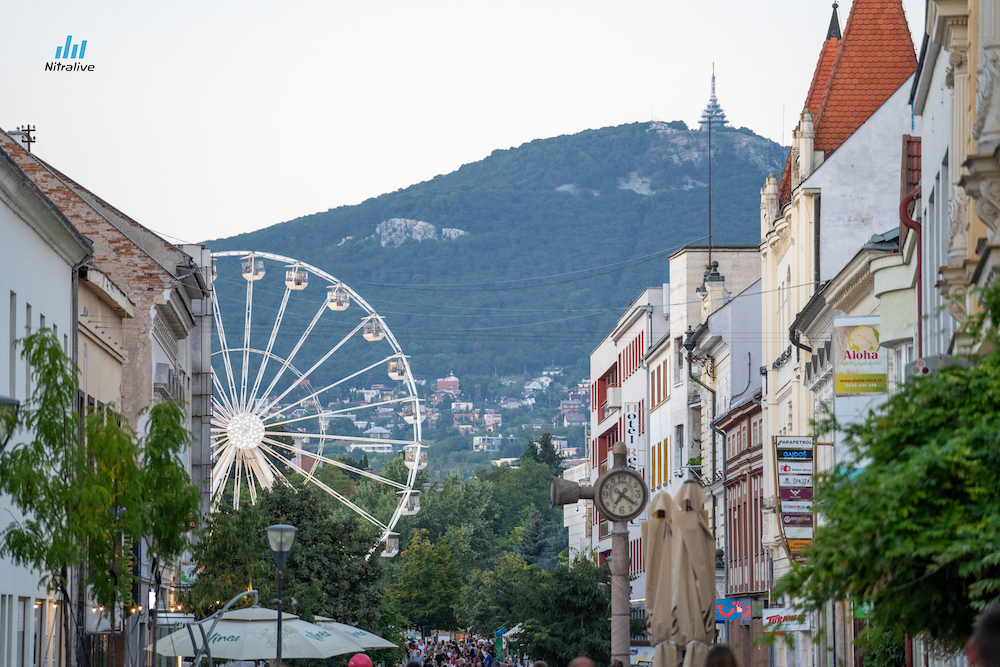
<point>252,633</point>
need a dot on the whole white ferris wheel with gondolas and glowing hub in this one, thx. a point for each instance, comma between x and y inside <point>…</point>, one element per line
<point>279,406</point>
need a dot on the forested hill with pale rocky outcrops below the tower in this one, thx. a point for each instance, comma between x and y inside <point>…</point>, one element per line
<point>529,256</point>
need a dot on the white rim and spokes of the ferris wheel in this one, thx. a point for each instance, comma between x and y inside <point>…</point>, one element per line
<point>225,407</point>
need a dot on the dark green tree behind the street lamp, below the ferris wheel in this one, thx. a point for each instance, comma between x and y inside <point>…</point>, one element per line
<point>326,572</point>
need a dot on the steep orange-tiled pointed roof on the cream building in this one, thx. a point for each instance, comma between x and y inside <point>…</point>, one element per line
<point>855,74</point>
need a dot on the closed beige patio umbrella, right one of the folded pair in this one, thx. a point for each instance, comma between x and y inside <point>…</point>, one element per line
<point>692,568</point>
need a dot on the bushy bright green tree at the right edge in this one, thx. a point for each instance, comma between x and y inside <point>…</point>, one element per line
<point>916,530</point>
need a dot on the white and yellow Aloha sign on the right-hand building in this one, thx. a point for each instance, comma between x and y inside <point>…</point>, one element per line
<point>860,363</point>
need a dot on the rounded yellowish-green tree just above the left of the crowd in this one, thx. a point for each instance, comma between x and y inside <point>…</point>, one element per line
<point>430,586</point>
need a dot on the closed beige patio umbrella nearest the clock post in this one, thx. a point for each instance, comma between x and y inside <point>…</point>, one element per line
<point>656,536</point>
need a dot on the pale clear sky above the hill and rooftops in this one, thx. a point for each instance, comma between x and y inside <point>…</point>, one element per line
<point>205,119</point>
